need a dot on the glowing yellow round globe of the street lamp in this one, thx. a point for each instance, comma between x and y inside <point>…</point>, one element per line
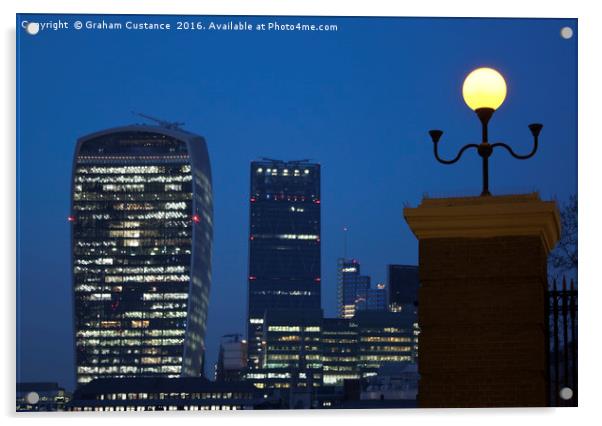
<point>484,88</point>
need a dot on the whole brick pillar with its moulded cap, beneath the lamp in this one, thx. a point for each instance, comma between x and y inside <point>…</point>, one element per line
<point>483,275</point>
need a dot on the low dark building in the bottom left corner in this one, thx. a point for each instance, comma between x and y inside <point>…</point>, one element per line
<point>41,396</point>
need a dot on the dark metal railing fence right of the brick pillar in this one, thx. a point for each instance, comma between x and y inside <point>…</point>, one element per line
<point>562,354</point>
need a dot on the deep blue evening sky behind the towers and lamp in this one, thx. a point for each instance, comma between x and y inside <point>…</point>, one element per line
<point>359,101</point>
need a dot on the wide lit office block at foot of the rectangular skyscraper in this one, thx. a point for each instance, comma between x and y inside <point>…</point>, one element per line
<point>301,349</point>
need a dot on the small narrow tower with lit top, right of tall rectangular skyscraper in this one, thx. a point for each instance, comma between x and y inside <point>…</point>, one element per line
<point>352,287</point>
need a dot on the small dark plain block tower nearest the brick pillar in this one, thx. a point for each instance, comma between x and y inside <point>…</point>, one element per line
<point>403,286</point>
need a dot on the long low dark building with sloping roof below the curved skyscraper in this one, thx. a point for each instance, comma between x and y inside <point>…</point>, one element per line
<point>168,394</point>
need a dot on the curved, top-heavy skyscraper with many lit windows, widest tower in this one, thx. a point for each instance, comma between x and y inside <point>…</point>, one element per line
<point>142,229</point>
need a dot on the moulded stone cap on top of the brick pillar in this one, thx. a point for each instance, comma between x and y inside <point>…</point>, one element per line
<point>486,217</point>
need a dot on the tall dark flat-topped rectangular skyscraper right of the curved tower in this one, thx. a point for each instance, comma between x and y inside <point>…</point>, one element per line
<point>284,242</point>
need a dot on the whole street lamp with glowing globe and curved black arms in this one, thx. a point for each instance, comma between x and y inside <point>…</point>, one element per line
<point>484,91</point>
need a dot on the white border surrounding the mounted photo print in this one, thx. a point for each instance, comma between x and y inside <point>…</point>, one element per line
<point>590,176</point>
